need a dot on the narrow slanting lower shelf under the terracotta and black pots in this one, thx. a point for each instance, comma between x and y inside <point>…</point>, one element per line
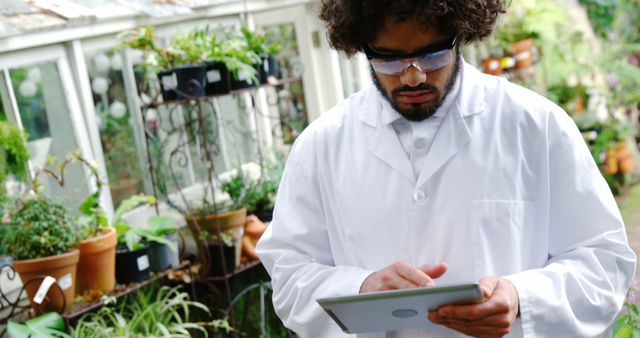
<point>82,307</point>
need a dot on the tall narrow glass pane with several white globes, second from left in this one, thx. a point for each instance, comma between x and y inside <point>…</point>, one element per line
<point>115,124</point>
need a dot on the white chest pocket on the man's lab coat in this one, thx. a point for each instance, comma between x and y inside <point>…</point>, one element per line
<point>502,235</point>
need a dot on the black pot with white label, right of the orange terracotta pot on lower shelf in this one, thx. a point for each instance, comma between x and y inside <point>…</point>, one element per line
<point>132,266</point>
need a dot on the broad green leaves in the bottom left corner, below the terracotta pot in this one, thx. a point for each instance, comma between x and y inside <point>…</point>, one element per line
<point>44,326</point>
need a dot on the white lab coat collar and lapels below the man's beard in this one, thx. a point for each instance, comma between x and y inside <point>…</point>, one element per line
<point>452,135</point>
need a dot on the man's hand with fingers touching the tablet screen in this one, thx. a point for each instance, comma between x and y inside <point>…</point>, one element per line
<point>401,275</point>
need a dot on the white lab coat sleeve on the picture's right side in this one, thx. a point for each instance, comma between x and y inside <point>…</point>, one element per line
<point>581,288</point>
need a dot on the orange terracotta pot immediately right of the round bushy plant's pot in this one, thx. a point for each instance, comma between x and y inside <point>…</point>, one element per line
<point>97,265</point>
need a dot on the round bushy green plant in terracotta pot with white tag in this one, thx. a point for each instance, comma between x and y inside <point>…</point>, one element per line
<point>42,241</point>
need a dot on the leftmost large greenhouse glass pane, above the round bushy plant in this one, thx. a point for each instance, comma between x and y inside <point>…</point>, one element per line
<point>45,116</point>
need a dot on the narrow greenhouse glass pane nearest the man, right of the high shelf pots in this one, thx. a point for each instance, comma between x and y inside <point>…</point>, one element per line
<point>287,99</point>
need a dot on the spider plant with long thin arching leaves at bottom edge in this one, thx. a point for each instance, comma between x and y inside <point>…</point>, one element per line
<point>163,312</point>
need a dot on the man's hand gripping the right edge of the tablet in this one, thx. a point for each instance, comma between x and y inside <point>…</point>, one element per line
<point>493,318</point>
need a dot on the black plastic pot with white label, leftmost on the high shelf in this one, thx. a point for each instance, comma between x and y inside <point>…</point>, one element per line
<point>183,82</point>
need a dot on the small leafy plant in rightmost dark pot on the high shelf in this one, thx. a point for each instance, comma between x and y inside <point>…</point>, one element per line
<point>260,44</point>
